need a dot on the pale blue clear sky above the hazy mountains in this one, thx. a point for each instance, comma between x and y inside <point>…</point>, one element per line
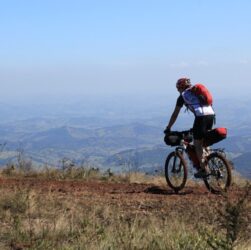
<point>60,48</point>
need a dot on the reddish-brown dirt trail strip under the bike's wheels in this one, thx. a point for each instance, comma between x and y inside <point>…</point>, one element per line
<point>109,190</point>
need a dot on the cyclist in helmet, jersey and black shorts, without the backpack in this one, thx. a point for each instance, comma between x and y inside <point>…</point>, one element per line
<point>204,119</point>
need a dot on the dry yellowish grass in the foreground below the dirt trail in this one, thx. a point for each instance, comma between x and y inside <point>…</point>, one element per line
<point>30,220</point>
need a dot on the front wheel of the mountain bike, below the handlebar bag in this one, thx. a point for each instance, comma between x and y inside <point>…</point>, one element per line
<point>176,171</point>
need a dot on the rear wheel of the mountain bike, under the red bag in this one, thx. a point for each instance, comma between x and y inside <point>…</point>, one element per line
<point>219,178</point>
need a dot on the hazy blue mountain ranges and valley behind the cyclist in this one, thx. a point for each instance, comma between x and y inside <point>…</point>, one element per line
<point>128,140</point>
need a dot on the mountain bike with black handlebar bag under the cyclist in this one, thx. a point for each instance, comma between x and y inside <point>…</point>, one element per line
<point>218,178</point>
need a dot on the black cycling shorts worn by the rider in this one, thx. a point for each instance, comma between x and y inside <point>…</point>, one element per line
<point>201,125</point>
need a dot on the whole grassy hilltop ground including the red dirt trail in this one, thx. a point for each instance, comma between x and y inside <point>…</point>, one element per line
<point>81,208</point>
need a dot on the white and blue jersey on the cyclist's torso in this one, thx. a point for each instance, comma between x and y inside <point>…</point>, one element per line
<point>193,103</point>
